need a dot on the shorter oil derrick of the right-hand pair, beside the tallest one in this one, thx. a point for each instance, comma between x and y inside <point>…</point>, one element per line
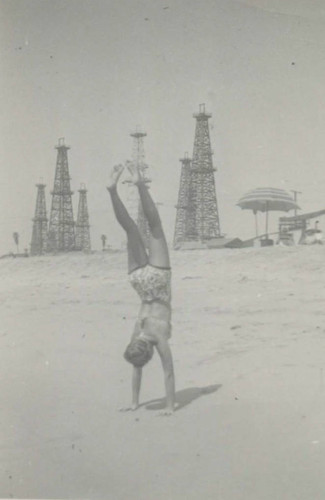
<point>180,234</point>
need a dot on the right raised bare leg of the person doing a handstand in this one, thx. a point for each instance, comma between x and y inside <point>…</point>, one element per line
<point>158,248</point>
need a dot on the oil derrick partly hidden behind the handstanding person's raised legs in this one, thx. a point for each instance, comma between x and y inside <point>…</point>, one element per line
<point>135,207</point>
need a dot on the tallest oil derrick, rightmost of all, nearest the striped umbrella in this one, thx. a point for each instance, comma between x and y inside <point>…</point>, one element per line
<point>202,213</point>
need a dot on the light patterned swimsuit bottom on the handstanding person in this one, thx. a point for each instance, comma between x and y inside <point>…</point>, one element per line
<point>152,283</point>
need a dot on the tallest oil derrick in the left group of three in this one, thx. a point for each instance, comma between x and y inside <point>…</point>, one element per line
<point>61,236</point>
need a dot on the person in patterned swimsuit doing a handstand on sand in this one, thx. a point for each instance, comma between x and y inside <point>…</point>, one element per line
<point>150,275</point>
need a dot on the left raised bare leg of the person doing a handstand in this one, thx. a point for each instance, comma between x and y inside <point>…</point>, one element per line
<point>137,255</point>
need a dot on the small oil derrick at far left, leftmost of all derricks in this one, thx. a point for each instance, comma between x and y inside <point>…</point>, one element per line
<point>39,234</point>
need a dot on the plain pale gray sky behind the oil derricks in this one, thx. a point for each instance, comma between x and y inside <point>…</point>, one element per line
<point>90,71</point>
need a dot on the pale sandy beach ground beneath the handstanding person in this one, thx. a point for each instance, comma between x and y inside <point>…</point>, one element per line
<point>248,337</point>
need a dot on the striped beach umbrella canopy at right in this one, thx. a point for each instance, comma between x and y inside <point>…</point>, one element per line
<point>266,199</point>
